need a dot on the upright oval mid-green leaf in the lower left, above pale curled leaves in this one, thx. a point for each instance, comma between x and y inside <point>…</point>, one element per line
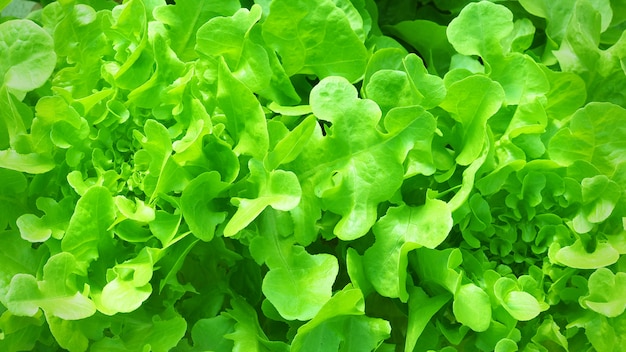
<point>88,229</point>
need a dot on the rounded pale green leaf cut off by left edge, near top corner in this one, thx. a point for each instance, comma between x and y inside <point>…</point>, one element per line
<point>27,56</point>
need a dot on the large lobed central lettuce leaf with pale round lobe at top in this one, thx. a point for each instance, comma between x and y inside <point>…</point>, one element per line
<point>351,170</point>
